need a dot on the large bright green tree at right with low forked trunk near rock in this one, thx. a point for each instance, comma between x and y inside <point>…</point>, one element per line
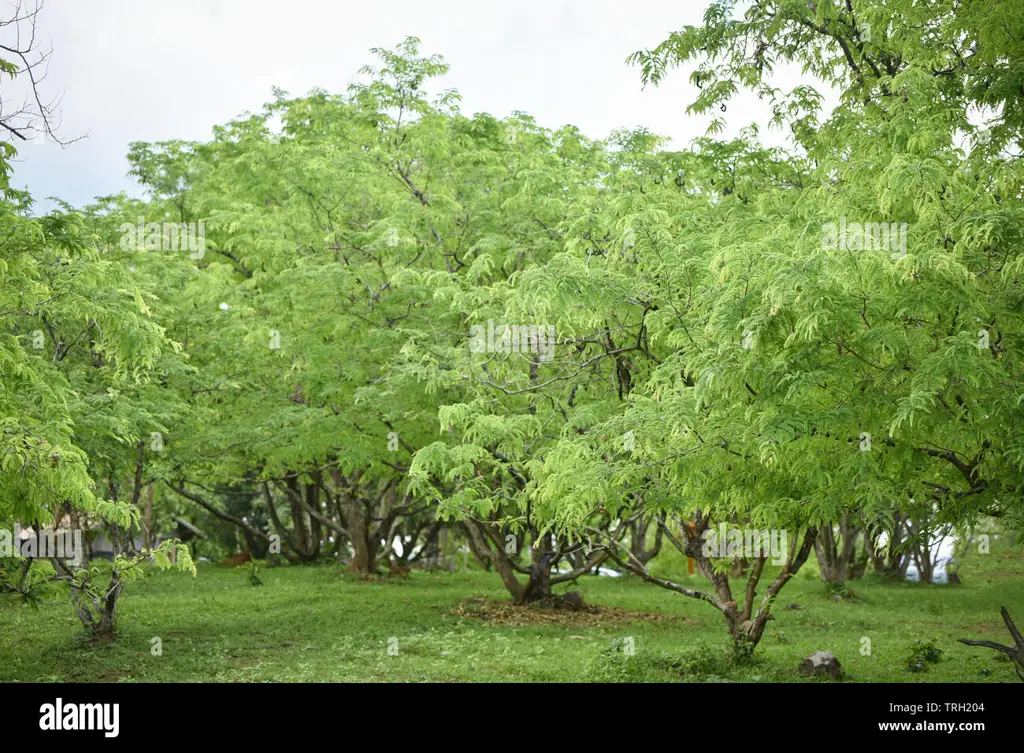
<point>804,380</point>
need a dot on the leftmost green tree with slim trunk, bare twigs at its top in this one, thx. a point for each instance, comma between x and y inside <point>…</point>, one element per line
<point>78,348</point>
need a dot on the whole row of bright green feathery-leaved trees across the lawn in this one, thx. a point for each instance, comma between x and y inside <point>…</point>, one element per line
<point>309,367</point>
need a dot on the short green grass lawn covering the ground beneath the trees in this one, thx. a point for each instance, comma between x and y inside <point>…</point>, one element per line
<point>314,624</point>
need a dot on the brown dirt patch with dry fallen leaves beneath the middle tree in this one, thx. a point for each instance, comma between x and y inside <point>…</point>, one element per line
<point>505,613</point>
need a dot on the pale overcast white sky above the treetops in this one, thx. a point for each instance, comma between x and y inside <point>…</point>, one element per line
<point>155,70</point>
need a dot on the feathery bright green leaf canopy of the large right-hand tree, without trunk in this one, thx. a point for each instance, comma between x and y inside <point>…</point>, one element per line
<point>919,346</point>
